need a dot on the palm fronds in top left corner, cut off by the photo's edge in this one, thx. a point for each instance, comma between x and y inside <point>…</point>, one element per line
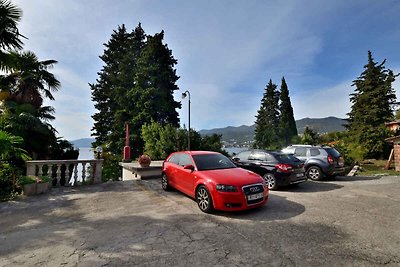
<point>10,15</point>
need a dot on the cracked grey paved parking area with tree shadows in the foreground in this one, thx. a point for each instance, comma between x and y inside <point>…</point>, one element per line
<point>351,221</point>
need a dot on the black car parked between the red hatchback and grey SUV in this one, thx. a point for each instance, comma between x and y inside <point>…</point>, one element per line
<point>276,168</point>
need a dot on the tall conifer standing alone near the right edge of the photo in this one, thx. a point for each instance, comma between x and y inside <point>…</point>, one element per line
<point>372,106</point>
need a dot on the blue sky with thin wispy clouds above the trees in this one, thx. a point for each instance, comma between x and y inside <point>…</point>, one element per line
<point>227,52</point>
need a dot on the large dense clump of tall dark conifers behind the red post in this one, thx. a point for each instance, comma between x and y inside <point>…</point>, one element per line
<point>135,86</point>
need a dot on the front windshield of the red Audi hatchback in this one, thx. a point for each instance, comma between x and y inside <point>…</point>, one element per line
<point>212,162</point>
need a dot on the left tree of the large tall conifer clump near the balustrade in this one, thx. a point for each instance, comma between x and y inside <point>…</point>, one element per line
<point>108,90</point>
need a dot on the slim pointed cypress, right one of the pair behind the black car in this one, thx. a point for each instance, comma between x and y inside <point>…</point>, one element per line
<point>287,123</point>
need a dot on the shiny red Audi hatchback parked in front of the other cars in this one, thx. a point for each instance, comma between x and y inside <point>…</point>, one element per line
<point>214,181</point>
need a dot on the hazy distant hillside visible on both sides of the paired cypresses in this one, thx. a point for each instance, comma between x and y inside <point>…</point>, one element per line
<point>245,133</point>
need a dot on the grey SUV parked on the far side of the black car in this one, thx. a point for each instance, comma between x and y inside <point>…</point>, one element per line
<point>319,161</point>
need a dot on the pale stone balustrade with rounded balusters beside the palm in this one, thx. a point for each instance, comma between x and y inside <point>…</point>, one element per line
<point>55,169</point>
